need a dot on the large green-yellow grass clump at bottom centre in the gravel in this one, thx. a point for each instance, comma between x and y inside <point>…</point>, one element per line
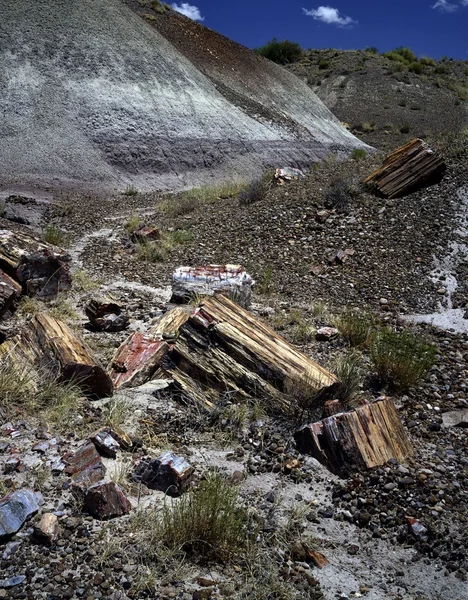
<point>205,523</point>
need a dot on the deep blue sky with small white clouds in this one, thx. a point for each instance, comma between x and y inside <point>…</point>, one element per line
<point>430,27</point>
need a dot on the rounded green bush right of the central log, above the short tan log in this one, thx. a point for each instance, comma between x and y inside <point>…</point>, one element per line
<point>400,360</point>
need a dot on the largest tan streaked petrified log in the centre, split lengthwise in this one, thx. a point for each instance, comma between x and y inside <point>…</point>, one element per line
<point>224,349</point>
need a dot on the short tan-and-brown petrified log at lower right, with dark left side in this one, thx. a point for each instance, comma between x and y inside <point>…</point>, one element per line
<point>367,437</point>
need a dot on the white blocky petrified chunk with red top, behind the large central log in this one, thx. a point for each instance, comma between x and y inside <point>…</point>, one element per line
<point>233,280</point>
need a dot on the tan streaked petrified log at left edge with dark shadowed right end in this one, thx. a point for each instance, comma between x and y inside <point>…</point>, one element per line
<point>47,343</point>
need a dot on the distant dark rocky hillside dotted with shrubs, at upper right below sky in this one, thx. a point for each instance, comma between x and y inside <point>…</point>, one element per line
<point>386,101</point>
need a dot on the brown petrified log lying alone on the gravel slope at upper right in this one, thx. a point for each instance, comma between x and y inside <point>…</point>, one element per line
<point>408,169</point>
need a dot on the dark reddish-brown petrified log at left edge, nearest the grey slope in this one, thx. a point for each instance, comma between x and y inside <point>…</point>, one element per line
<point>41,269</point>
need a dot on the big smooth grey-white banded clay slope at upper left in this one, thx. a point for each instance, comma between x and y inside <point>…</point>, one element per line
<point>92,93</point>
